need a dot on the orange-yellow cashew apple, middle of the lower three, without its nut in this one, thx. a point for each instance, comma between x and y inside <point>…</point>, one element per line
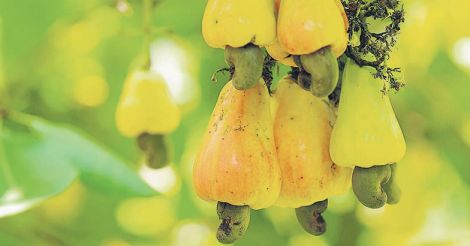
<point>302,134</point>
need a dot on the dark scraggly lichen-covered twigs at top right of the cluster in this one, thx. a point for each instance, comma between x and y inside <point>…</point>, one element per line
<point>368,47</point>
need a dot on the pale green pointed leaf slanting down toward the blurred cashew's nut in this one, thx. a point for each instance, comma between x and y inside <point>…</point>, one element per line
<point>97,166</point>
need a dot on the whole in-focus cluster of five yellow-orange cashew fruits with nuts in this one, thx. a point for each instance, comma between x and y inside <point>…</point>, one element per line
<point>263,150</point>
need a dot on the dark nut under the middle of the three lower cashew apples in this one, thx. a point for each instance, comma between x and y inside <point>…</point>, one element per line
<point>310,217</point>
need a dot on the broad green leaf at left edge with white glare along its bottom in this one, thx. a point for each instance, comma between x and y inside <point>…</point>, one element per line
<point>31,172</point>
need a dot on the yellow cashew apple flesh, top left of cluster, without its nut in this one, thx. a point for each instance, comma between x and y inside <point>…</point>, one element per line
<point>237,23</point>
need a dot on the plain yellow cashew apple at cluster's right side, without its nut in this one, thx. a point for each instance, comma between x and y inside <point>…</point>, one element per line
<point>366,132</point>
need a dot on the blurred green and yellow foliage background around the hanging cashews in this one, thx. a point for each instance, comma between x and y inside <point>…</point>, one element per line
<point>71,179</point>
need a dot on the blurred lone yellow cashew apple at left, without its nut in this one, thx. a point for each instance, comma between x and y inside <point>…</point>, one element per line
<point>145,106</point>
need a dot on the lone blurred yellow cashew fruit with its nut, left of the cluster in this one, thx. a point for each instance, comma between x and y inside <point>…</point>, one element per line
<point>147,112</point>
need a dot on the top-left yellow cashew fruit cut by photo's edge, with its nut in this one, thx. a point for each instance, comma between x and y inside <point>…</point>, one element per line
<point>240,27</point>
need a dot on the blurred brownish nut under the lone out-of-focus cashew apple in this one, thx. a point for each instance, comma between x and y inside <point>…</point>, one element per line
<point>154,148</point>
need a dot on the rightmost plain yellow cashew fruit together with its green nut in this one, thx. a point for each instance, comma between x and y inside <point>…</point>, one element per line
<point>367,135</point>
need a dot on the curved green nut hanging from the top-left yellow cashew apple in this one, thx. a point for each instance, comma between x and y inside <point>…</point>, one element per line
<point>247,63</point>
